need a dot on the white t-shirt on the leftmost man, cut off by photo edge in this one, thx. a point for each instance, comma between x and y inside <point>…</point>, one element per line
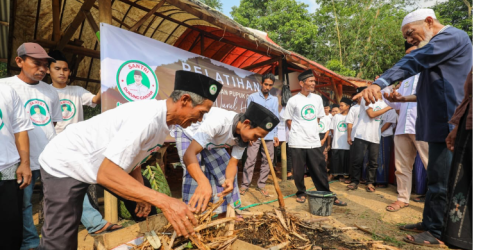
<point>13,119</point>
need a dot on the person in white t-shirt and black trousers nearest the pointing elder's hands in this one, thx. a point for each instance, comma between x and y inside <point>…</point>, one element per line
<point>367,136</point>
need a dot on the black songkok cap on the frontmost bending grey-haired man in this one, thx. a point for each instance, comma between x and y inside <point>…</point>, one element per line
<point>198,84</point>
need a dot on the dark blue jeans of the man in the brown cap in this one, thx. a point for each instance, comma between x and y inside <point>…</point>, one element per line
<point>30,235</point>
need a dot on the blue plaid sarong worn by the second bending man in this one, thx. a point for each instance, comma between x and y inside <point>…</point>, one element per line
<point>213,163</point>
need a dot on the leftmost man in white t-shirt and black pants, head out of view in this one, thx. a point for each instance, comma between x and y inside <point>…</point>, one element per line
<point>15,172</point>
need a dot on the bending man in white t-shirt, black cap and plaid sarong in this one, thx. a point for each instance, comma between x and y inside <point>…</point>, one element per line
<point>222,129</point>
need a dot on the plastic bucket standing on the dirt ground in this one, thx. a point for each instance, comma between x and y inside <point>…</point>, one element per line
<point>320,202</point>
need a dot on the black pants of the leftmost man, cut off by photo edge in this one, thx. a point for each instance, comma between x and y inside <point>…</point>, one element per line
<point>11,215</point>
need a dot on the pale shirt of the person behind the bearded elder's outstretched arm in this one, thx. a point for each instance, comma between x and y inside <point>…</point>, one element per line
<point>408,111</point>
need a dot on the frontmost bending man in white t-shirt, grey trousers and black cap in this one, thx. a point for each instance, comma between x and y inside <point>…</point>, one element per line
<point>108,149</point>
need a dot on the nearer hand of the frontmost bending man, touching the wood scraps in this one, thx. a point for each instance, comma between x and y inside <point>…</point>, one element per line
<point>180,216</point>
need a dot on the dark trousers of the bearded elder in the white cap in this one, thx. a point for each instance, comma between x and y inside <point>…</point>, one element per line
<point>436,197</point>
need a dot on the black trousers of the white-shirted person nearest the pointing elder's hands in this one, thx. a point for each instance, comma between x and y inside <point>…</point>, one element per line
<point>359,150</point>
